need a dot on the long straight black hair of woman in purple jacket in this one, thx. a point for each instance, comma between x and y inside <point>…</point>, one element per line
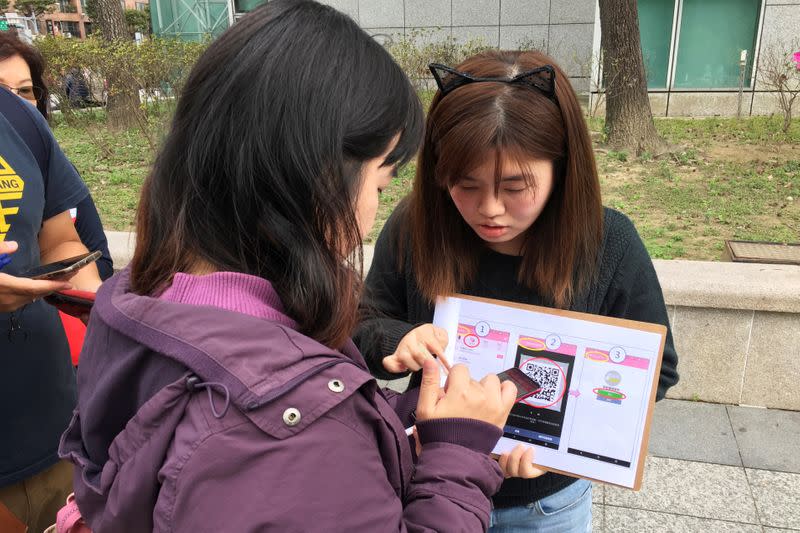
<point>261,168</point>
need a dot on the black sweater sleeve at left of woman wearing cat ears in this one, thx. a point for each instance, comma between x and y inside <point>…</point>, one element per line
<point>384,304</point>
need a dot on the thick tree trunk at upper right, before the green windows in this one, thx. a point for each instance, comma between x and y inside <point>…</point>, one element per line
<point>629,120</point>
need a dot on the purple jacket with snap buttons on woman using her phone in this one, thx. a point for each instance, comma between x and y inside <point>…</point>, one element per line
<point>199,418</point>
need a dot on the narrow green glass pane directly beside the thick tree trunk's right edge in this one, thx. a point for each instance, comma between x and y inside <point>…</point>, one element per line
<point>655,28</point>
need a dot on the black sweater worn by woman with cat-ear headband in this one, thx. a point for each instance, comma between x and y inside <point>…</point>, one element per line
<point>626,287</point>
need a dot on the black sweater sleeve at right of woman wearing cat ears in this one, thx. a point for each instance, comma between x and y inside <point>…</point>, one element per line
<point>635,294</point>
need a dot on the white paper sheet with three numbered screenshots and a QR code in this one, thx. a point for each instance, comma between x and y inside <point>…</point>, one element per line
<point>590,417</point>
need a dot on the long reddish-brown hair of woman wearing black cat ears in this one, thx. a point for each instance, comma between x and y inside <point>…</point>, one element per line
<point>487,121</point>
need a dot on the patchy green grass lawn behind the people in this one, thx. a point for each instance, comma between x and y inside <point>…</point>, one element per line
<point>729,179</point>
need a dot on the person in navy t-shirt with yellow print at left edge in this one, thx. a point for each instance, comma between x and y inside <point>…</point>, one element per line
<point>38,186</point>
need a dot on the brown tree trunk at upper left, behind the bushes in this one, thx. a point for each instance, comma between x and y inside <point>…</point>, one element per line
<point>123,99</point>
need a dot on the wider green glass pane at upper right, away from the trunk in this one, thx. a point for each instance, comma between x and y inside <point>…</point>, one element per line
<point>712,35</point>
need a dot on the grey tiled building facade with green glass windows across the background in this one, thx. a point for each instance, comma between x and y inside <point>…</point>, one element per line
<point>693,49</point>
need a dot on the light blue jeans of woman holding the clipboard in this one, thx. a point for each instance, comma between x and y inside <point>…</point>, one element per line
<point>567,511</point>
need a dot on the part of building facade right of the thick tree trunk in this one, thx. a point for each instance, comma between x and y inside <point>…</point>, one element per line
<point>708,57</point>
